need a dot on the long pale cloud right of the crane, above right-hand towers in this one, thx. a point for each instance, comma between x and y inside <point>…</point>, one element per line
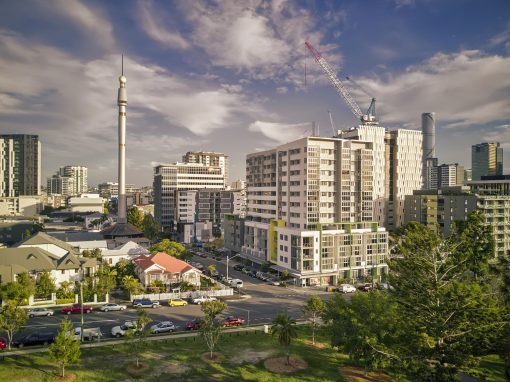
<point>463,88</point>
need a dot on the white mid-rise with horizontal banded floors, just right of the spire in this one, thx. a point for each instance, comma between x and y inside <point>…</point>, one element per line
<point>181,176</point>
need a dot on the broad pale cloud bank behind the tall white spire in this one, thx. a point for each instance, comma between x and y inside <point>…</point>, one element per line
<point>63,98</point>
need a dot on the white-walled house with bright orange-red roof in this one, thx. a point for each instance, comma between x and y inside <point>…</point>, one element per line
<point>165,268</point>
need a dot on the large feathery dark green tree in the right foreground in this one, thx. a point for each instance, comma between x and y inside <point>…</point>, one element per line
<point>436,316</point>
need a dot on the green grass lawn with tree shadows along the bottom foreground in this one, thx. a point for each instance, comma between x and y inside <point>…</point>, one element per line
<point>181,360</point>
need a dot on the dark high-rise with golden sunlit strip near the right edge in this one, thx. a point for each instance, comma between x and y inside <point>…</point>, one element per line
<point>486,159</point>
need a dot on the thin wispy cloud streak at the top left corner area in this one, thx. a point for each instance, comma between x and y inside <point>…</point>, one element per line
<point>90,19</point>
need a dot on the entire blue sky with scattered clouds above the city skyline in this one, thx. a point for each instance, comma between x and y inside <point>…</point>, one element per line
<point>235,76</point>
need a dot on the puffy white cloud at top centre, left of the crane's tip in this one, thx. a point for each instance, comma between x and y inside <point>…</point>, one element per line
<point>263,40</point>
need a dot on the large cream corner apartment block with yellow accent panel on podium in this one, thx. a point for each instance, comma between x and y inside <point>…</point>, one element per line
<point>310,211</point>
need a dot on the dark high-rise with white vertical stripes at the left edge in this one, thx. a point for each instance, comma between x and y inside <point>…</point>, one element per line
<point>20,165</point>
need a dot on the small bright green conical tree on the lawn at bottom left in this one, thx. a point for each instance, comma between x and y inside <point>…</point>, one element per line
<point>66,349</point>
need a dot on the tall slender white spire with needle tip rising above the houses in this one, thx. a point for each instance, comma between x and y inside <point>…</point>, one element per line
<point>122,103</point>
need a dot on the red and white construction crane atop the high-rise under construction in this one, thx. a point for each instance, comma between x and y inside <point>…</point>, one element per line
<point>366,119</point>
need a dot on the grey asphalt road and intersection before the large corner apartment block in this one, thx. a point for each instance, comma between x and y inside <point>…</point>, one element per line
<point>259,304</point>
